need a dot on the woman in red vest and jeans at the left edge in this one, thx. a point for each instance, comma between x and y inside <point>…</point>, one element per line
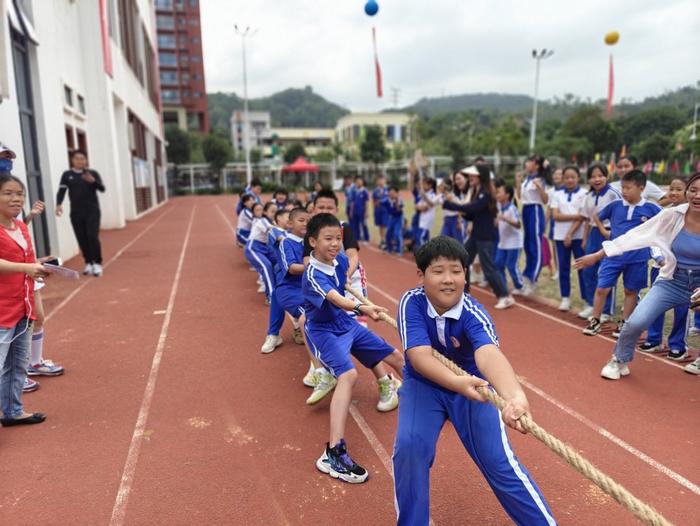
<point>19,269</point>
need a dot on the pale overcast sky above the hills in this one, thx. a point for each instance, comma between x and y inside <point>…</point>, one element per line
<point>431,48</point>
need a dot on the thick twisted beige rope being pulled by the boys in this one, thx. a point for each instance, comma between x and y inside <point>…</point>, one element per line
<point>638,508</point>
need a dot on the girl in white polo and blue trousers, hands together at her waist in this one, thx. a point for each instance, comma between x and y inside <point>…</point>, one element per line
<point>565,205</point>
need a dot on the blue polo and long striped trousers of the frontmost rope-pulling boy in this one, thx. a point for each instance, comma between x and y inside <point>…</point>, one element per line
<point>425,406</point>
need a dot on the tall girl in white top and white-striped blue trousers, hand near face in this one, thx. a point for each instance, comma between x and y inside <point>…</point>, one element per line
<point>532,193</point>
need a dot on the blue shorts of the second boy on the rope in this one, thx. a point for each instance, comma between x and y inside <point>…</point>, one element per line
<point>333,348</point>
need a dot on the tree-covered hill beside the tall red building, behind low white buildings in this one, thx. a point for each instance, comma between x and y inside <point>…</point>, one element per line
<point>289,108</point>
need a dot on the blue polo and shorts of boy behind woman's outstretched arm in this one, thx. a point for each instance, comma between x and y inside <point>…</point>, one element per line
<point>632,265</point>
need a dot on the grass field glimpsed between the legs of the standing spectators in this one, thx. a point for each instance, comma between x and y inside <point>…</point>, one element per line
<point>547,287</point>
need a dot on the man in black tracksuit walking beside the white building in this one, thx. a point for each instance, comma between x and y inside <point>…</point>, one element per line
<point>82,185</point>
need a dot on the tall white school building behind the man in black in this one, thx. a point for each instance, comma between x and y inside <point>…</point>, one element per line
<point>82,74</point>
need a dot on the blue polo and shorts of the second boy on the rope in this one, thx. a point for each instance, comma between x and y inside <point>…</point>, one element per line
<point>333,336</point>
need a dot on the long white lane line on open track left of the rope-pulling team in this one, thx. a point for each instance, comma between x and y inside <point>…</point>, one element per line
<point>127,480</point>
